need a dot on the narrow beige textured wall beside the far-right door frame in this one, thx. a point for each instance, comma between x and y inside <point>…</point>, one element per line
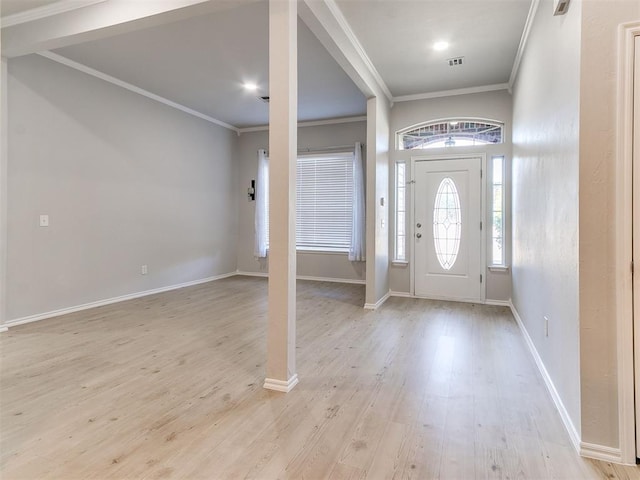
<point>597,242</point>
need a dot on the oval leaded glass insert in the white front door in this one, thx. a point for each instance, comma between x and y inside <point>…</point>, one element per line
<point>447,223</point>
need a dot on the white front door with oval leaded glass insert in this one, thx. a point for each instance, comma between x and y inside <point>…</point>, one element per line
<point>448,248</point>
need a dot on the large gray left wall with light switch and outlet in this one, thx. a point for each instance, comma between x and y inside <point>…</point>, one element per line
<point>125,180</point>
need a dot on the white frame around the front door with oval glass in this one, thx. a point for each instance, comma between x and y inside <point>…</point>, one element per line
<point>483,215</point>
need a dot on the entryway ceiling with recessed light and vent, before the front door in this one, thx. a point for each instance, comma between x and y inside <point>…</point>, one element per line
<point>398,37</point>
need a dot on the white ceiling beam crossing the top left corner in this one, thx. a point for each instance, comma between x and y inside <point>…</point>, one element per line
<point>100,20</point>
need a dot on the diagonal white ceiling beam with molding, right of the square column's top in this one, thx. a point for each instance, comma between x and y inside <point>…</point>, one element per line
<point>326,21</point>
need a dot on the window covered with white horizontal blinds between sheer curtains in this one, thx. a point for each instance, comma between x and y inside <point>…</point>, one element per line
<point>324,196</point>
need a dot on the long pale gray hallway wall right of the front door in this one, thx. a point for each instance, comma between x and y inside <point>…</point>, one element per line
<point>545,196</point>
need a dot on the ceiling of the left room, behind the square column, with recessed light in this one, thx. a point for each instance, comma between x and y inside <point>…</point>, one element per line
<point>201,63</point>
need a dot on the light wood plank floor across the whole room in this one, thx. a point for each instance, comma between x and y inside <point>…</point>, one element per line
<point>170,386</point>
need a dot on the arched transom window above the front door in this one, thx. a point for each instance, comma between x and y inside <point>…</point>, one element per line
<point>451,132</point>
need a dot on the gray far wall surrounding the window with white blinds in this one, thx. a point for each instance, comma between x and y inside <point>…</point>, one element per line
<point>316,264</point>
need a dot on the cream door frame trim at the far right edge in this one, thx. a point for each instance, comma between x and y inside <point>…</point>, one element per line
<point>624,245</point>
